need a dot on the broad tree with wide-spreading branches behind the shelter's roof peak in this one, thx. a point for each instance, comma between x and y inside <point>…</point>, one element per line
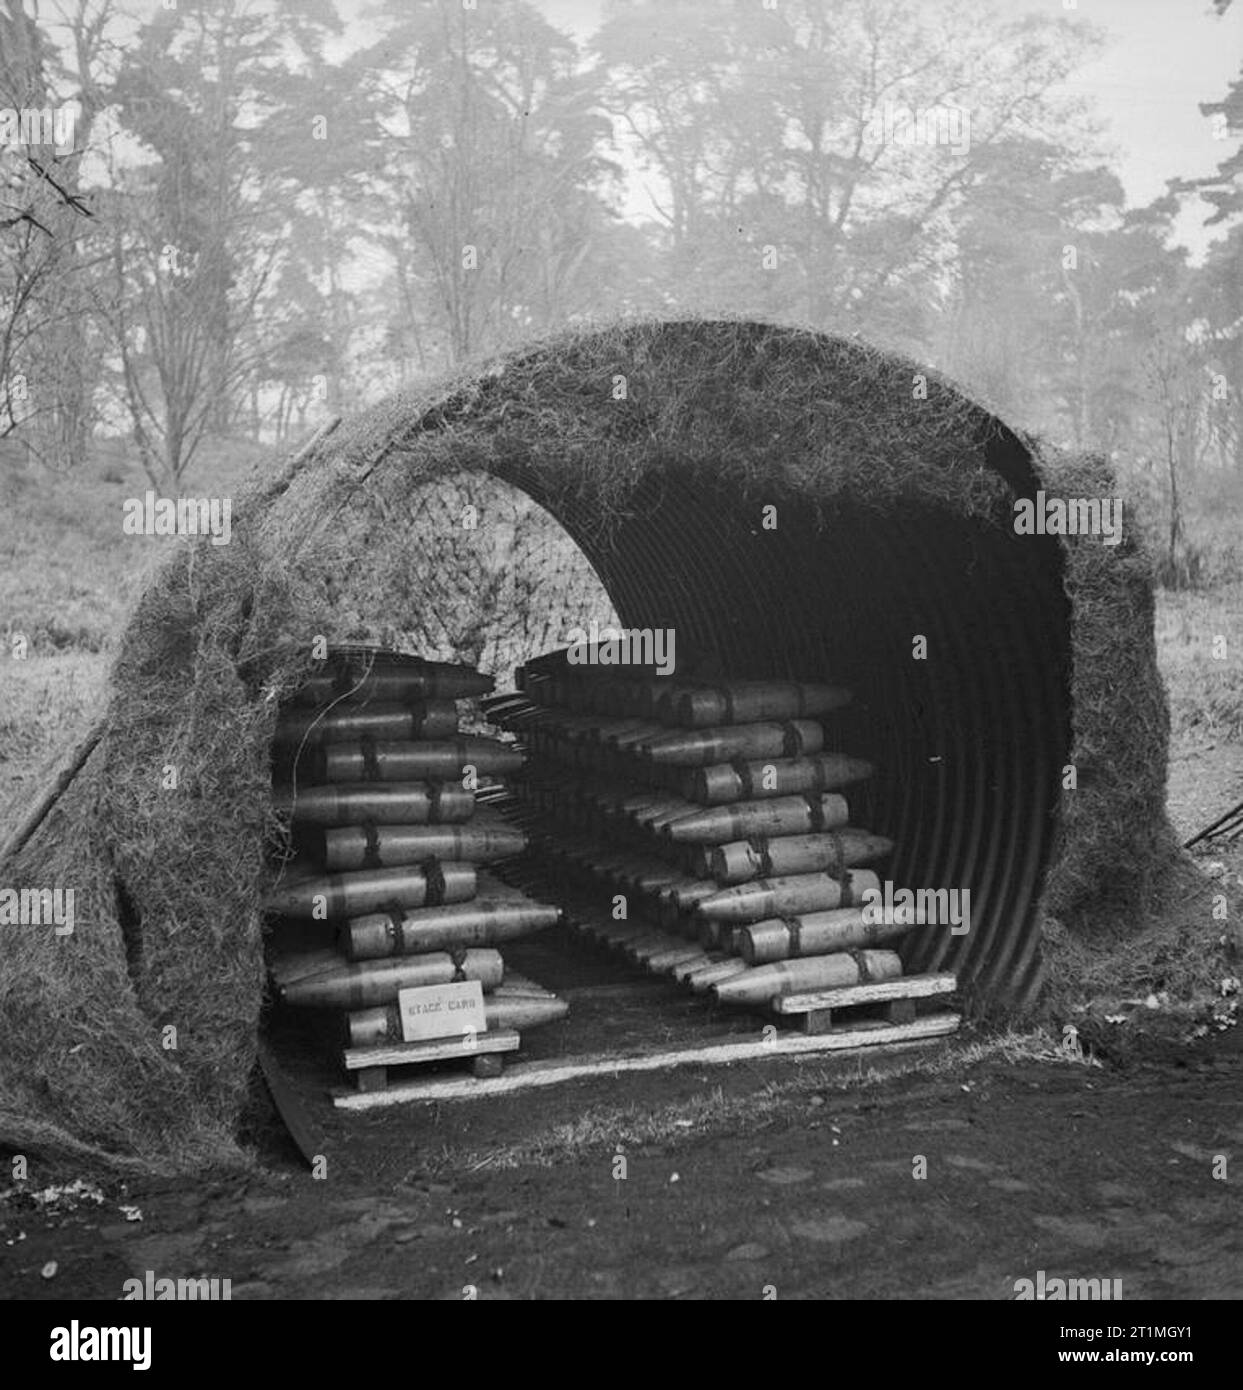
<point>811,154</point>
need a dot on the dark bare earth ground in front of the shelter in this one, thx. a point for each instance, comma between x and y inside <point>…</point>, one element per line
<point>790,1179</point>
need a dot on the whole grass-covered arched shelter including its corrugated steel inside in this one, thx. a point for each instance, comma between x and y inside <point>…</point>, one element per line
<point>657,447</point>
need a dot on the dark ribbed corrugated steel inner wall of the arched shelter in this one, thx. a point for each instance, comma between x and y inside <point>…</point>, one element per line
<point>970,744</point>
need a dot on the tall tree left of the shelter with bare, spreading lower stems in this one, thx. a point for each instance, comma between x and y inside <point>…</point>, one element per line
<point>198,230</point>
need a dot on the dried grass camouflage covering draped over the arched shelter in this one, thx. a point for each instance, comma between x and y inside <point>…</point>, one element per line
<point>134,1039</point>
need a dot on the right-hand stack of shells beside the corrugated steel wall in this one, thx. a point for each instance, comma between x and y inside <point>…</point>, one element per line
<point>714,810</point>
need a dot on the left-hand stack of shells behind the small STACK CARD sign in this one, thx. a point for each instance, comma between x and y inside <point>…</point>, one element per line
<point>380,787</point>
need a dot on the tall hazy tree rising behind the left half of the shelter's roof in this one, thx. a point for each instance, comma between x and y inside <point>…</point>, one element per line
<point>487,152</point>
